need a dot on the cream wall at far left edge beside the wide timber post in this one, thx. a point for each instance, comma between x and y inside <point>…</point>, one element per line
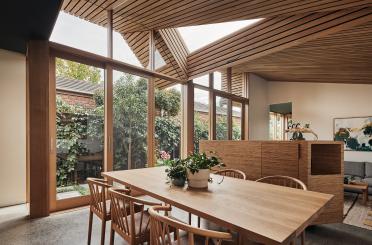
<point>12,128</point>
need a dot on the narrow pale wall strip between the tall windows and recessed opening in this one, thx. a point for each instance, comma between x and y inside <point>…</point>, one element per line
<point>258,115</point>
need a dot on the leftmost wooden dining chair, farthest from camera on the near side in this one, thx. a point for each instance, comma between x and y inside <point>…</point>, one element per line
<point>98,205</point>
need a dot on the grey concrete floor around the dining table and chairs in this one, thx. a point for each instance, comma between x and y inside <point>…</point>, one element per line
<point>70,228</point>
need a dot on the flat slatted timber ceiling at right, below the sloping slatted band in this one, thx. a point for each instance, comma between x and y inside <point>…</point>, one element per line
<point>343,57</point>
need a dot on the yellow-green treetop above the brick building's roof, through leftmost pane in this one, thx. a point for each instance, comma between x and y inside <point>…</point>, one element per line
<point>74,70</point>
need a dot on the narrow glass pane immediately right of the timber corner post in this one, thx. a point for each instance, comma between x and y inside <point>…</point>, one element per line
<point>201,116</point>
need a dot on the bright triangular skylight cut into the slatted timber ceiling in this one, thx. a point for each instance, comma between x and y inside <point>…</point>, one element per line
<point>197,37</point>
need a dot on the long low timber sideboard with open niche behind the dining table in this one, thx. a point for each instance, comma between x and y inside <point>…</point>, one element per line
<point>319,164</point>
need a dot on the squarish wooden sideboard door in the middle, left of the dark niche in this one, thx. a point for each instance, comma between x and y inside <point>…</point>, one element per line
<point>280,158</point>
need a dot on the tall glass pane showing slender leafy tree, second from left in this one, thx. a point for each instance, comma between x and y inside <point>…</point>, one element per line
<point>129,121</point>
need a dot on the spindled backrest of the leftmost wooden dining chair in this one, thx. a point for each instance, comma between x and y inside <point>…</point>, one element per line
<point>98,194</point>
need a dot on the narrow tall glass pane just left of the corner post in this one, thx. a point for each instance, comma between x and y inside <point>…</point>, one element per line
<point>167,123</point>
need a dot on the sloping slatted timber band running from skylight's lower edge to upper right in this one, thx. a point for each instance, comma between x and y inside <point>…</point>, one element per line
<point>272,35</point>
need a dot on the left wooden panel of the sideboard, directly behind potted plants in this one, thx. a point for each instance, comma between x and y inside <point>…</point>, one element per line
<point>242,155</point>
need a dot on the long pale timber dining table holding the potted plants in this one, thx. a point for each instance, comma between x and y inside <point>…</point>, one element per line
<point>264,213</point>
